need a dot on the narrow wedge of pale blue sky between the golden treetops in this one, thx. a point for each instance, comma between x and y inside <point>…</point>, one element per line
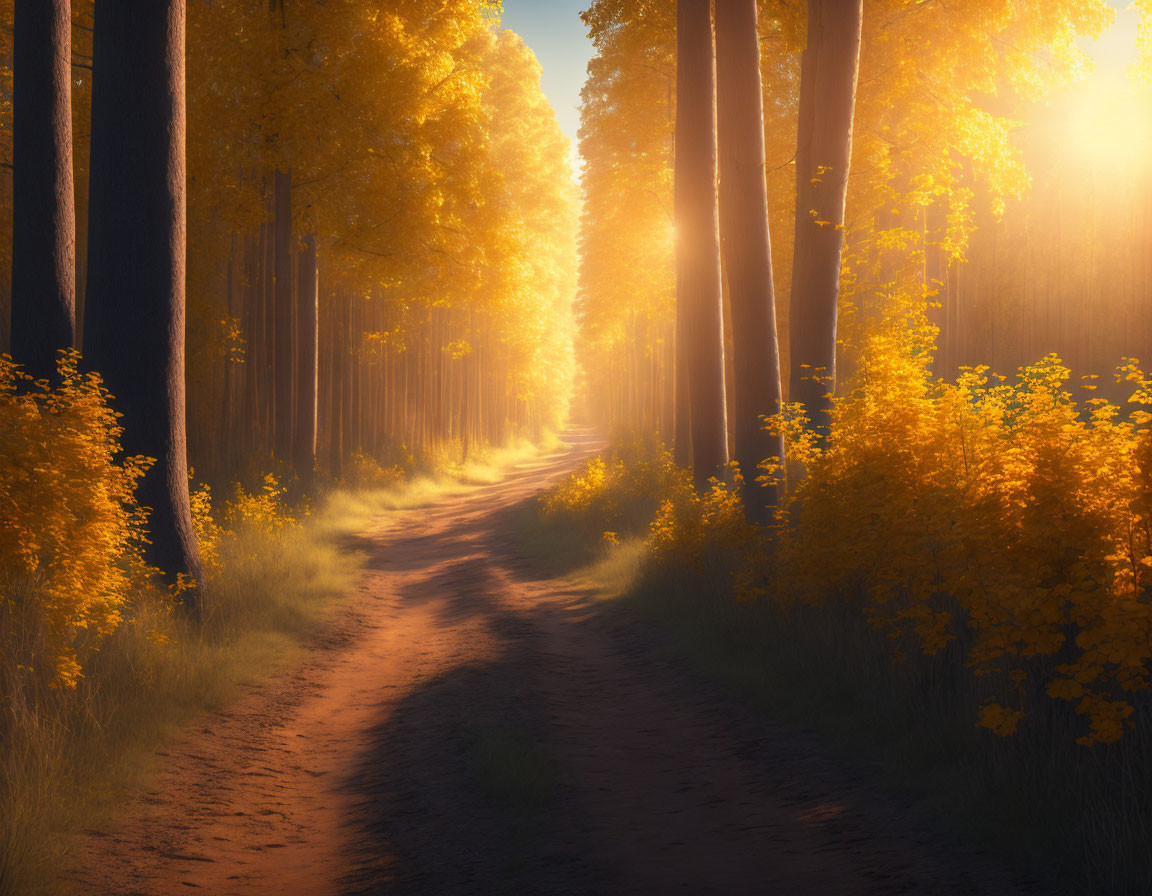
<point>554,31</point>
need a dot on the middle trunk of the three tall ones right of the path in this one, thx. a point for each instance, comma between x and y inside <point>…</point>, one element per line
<point>747,248</point>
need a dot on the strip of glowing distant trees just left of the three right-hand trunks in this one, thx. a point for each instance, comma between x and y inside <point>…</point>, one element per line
<point>628,285</point>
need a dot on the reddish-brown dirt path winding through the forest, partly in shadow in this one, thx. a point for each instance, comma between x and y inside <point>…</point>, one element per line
<point>468,730</point>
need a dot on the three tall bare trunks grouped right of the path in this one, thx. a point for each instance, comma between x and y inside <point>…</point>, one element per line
<point>719,104</point>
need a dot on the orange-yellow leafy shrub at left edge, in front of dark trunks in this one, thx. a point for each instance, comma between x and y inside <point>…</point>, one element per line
<point>71,545</point>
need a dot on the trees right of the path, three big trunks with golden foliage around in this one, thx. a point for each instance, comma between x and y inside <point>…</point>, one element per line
<point>918,101</point>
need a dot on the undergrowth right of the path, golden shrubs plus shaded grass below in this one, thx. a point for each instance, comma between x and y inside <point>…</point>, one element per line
<point>957,584</point>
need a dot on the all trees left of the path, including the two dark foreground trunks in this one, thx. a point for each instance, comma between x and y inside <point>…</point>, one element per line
<point>372,208</point>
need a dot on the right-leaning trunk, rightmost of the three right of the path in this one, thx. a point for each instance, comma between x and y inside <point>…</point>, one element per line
<point>824,149</point>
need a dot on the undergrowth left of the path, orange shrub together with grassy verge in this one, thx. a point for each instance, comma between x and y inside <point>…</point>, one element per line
<point>101,666</point>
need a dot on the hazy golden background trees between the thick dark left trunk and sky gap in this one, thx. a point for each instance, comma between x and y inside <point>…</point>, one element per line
<point>437,187</point>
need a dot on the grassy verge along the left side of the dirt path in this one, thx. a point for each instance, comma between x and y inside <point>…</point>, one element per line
<point>70,760</point>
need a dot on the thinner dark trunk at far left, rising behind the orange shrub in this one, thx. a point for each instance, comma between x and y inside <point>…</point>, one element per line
<point>44,210</point>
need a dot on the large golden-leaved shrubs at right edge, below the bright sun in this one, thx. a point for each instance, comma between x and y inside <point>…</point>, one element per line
<point>1007,519</point>
